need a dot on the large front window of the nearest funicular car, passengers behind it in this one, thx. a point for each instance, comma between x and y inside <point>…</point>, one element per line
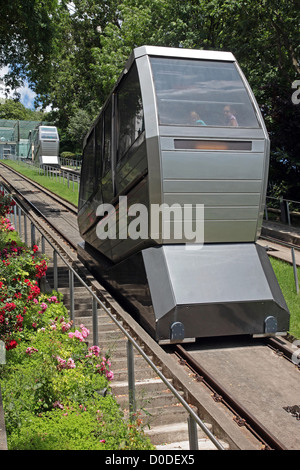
<point>201,93</point>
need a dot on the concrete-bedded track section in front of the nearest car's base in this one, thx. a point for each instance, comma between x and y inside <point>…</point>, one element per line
<point>230,367</point>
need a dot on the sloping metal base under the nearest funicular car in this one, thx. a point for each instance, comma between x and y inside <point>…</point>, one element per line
<point>215,290</point>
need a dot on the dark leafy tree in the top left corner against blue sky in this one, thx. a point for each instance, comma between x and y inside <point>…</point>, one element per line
<point>27,30</point>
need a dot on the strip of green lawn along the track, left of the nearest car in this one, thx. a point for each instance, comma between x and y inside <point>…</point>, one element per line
<point>55,186</point>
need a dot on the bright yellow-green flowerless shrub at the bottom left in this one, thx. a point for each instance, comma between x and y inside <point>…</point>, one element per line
<point>97,426</point>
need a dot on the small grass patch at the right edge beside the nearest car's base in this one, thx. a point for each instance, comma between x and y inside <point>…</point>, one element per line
<point>285,276</point>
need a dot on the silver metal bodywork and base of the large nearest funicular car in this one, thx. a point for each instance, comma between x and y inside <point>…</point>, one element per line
<point>228,286</point>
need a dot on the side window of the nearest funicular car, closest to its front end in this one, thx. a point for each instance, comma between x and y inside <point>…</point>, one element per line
<point>130,112</point>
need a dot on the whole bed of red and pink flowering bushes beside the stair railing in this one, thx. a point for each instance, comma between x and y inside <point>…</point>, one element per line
<point>55,388</point>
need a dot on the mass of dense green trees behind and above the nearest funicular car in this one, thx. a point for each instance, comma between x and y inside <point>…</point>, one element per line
<point>72,52</point>
